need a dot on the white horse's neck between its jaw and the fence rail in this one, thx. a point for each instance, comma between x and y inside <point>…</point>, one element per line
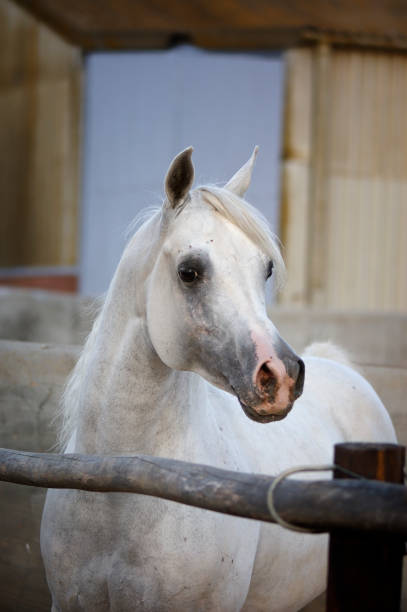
<point>129,400</point>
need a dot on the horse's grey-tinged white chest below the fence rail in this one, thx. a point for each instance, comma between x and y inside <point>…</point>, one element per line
<point>145,554</point>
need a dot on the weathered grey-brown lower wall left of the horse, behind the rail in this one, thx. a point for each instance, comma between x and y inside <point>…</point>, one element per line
<point>31,379</point>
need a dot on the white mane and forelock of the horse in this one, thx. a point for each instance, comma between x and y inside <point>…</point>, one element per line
<point>227,204</point>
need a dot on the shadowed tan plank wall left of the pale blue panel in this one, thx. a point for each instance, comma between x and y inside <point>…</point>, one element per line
<point>40,84</point>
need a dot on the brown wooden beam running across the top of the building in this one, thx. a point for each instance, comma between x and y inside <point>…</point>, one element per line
<point>236,24</point>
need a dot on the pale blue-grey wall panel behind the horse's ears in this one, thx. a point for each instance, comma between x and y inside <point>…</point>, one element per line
<point>142,108</point>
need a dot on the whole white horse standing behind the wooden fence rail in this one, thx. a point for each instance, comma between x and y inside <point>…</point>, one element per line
<point>183,343</point>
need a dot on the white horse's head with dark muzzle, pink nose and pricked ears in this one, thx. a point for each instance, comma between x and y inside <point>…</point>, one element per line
<point>206,300</point>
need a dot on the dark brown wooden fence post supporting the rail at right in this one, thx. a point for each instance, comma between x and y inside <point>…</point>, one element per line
<point>365,569</point>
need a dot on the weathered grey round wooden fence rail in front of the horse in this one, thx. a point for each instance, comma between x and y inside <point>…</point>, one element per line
<point>361,505</point>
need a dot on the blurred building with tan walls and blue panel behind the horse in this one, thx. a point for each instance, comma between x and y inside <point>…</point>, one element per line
<point>97,98</point>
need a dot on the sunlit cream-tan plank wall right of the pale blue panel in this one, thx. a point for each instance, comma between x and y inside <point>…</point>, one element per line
<point>345,179</point>
